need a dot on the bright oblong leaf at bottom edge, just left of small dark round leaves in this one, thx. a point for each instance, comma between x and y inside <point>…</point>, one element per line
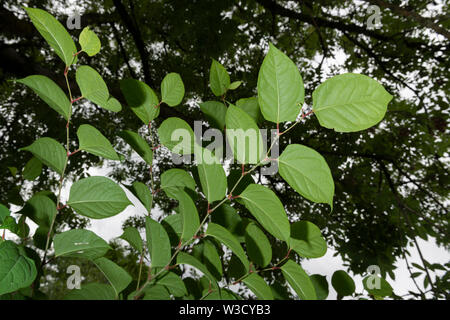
<point>299,280</point>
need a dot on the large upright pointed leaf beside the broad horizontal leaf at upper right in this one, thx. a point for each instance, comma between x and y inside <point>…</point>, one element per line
<point>280,87</point>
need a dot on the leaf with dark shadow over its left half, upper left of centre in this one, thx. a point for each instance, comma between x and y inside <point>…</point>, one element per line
<point>141,99</point>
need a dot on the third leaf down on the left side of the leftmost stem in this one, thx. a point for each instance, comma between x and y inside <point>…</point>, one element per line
<point>50,152</point>
